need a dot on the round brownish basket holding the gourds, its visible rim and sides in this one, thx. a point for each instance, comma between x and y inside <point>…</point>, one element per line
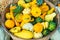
<point>16,38</point>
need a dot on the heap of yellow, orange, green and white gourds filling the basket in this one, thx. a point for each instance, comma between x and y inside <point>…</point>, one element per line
<point>30,19</point>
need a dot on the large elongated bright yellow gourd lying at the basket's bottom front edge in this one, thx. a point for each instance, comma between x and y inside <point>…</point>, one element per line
<point>24,34</point>
